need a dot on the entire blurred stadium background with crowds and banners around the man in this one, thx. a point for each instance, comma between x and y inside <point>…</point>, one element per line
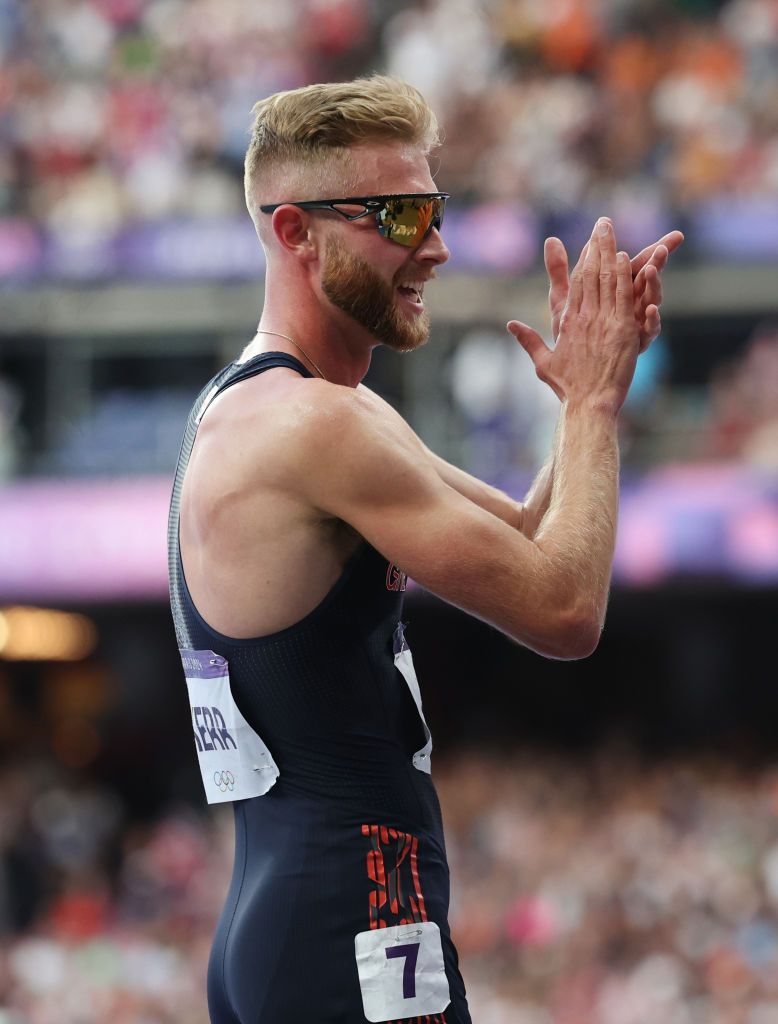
<point>613,825</point>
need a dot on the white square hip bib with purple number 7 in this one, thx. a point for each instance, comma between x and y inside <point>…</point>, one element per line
<point>402,971</point>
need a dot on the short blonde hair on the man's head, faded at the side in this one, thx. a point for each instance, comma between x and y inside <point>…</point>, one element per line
<point>298,136</point>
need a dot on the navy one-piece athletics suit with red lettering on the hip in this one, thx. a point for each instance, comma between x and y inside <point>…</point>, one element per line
<point>350,839</point>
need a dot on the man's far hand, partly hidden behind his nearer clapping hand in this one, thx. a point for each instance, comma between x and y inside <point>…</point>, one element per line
<point>647,269</point>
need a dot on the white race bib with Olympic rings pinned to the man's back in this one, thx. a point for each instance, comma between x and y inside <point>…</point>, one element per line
<point>234,761</point>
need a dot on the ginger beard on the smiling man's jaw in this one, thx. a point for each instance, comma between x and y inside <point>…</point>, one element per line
<point>354,286</point>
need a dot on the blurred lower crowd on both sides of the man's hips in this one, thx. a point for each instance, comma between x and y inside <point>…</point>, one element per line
<point>591,890</point>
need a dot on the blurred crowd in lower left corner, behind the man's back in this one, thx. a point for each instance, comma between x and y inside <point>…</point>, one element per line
<point>104,918</point>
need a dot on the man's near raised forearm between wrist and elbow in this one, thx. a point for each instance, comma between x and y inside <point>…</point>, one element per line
<point>579,528</point>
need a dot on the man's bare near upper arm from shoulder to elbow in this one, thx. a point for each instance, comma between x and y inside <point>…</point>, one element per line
<point>374,477</point>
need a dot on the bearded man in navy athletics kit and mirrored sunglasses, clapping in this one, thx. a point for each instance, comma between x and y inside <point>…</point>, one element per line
<point>302,501</point>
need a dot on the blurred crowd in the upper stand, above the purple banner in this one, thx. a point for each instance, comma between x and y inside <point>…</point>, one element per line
<point>124,111</point>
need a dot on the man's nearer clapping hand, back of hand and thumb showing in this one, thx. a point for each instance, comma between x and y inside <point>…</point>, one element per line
<point>598,334</point>
